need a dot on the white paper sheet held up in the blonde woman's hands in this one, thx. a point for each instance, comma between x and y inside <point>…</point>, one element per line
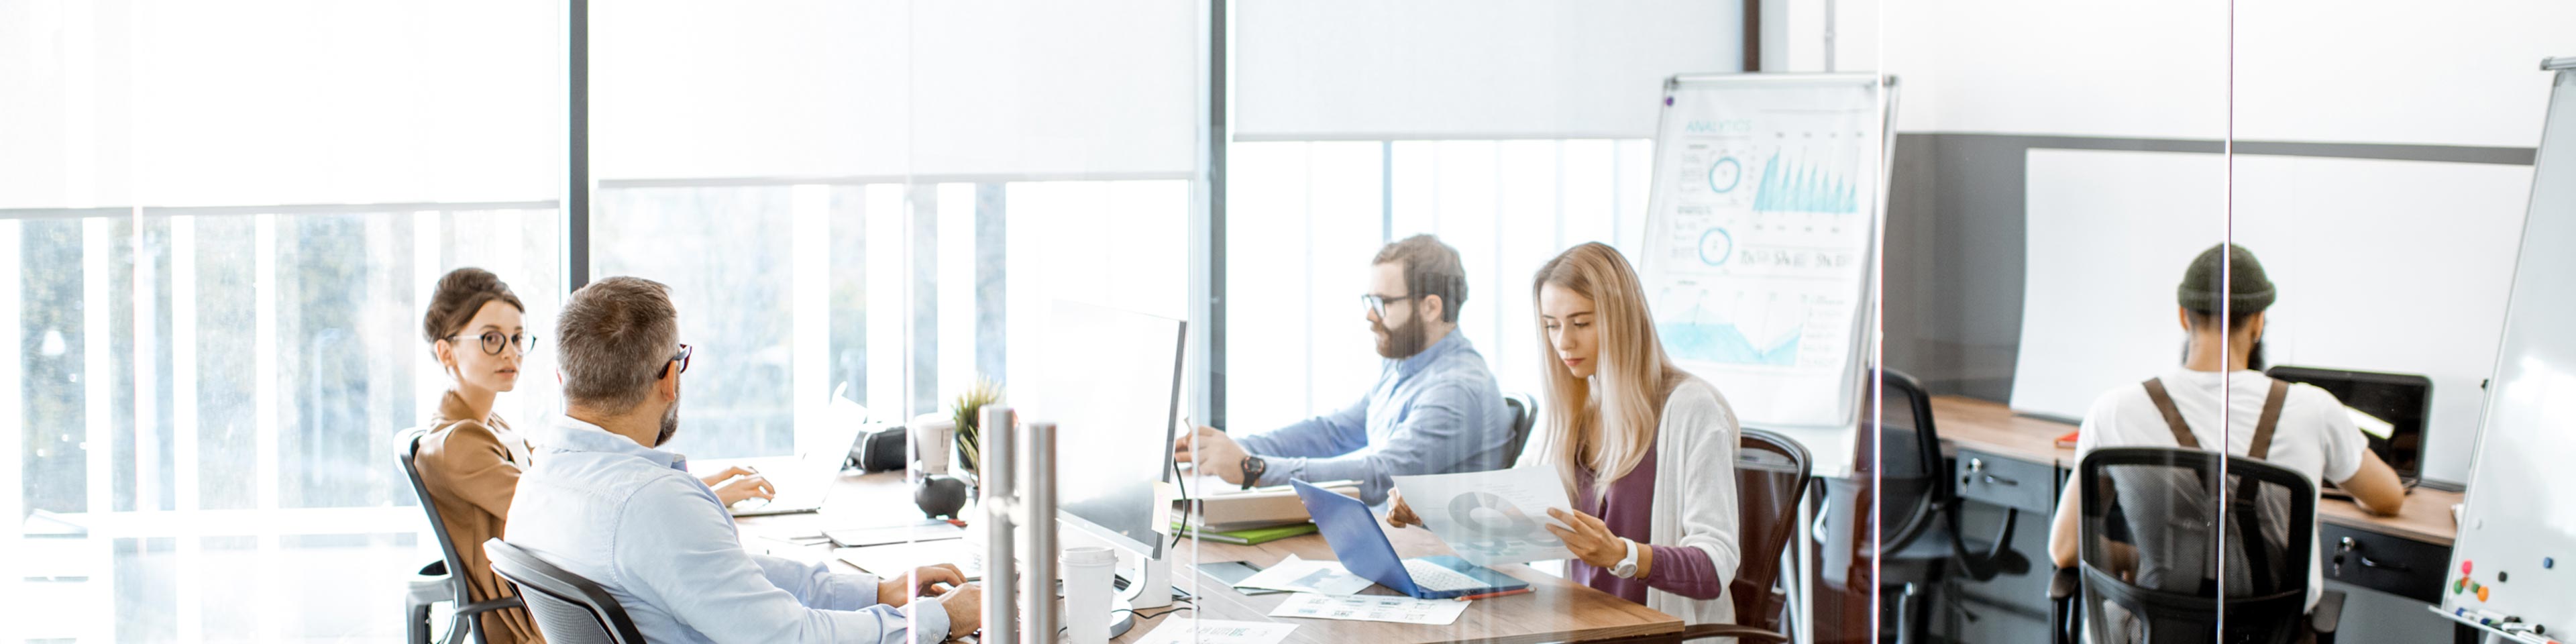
<point>1493,516</point>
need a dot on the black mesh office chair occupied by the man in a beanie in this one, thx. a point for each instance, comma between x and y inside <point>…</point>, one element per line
<point>2147,571</point>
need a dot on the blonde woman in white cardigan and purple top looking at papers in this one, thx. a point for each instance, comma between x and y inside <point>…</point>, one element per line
<point>1645,450</point>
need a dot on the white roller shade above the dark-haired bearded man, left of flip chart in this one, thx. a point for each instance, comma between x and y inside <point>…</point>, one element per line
<point>1470,71</point>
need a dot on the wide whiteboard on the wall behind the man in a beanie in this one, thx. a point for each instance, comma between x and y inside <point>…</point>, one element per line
<point>2101,316</point>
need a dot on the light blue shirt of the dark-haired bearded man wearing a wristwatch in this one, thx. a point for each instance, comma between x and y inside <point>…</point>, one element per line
<point>1431,413</point>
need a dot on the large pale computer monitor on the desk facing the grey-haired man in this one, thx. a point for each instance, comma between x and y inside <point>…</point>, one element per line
<point>1112,385</point>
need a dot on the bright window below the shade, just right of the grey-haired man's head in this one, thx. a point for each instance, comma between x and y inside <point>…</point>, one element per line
<point>880,295</point>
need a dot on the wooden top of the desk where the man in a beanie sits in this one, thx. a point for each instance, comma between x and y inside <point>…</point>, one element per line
<point>1995,429</point>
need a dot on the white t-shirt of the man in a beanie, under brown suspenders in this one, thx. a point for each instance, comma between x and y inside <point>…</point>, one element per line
<point>2315,434</point>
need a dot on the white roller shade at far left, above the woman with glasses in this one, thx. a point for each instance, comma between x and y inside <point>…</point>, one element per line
<point>277,102</point>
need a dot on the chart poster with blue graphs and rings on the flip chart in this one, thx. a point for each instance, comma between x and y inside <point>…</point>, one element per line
<point>1761,236</point>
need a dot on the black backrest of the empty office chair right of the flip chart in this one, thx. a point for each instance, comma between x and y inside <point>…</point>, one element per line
<point>1913,483</point>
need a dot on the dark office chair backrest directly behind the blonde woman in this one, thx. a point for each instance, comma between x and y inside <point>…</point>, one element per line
<point>1771,486</point>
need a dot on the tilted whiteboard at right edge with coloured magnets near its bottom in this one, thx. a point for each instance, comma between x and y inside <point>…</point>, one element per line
<point>2521,504</point>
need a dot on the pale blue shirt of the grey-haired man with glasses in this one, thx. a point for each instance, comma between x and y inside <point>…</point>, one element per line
<point>632,522</point>
